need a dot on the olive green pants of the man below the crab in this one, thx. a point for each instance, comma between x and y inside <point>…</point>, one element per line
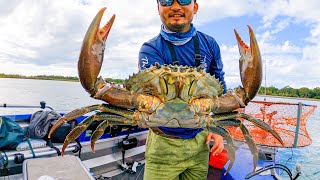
<point>176,159</point>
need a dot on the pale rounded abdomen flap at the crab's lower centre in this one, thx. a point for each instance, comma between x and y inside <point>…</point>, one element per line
<point>175,113</point>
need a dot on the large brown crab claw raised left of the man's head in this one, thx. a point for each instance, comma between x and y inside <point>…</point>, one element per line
<point>92,51</point>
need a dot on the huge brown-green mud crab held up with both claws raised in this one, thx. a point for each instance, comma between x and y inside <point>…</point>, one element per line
<point>166,95</point>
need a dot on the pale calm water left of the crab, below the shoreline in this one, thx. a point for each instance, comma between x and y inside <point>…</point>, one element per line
<point>60,95</point>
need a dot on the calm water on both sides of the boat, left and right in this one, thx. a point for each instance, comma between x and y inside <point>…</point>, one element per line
<point>66,96</point>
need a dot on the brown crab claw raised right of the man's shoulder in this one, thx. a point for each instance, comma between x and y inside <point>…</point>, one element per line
<point>250,66</point>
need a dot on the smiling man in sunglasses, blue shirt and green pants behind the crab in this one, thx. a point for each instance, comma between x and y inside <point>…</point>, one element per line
<point>180,153</point>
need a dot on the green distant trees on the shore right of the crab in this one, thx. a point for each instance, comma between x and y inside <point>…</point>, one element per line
<point>288,91</point>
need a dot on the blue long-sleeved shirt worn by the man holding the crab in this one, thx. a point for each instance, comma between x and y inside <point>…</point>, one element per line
<point>156,50</point>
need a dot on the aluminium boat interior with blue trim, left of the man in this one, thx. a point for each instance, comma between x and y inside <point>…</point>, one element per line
<point>119,150</point>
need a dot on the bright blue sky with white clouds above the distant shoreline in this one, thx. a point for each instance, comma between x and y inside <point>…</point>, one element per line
<point>44,37</point>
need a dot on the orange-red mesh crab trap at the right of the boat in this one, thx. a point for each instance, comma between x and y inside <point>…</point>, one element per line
<point>281,117</point>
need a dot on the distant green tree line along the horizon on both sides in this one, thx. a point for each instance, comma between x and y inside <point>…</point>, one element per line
<point>287,91</point>
